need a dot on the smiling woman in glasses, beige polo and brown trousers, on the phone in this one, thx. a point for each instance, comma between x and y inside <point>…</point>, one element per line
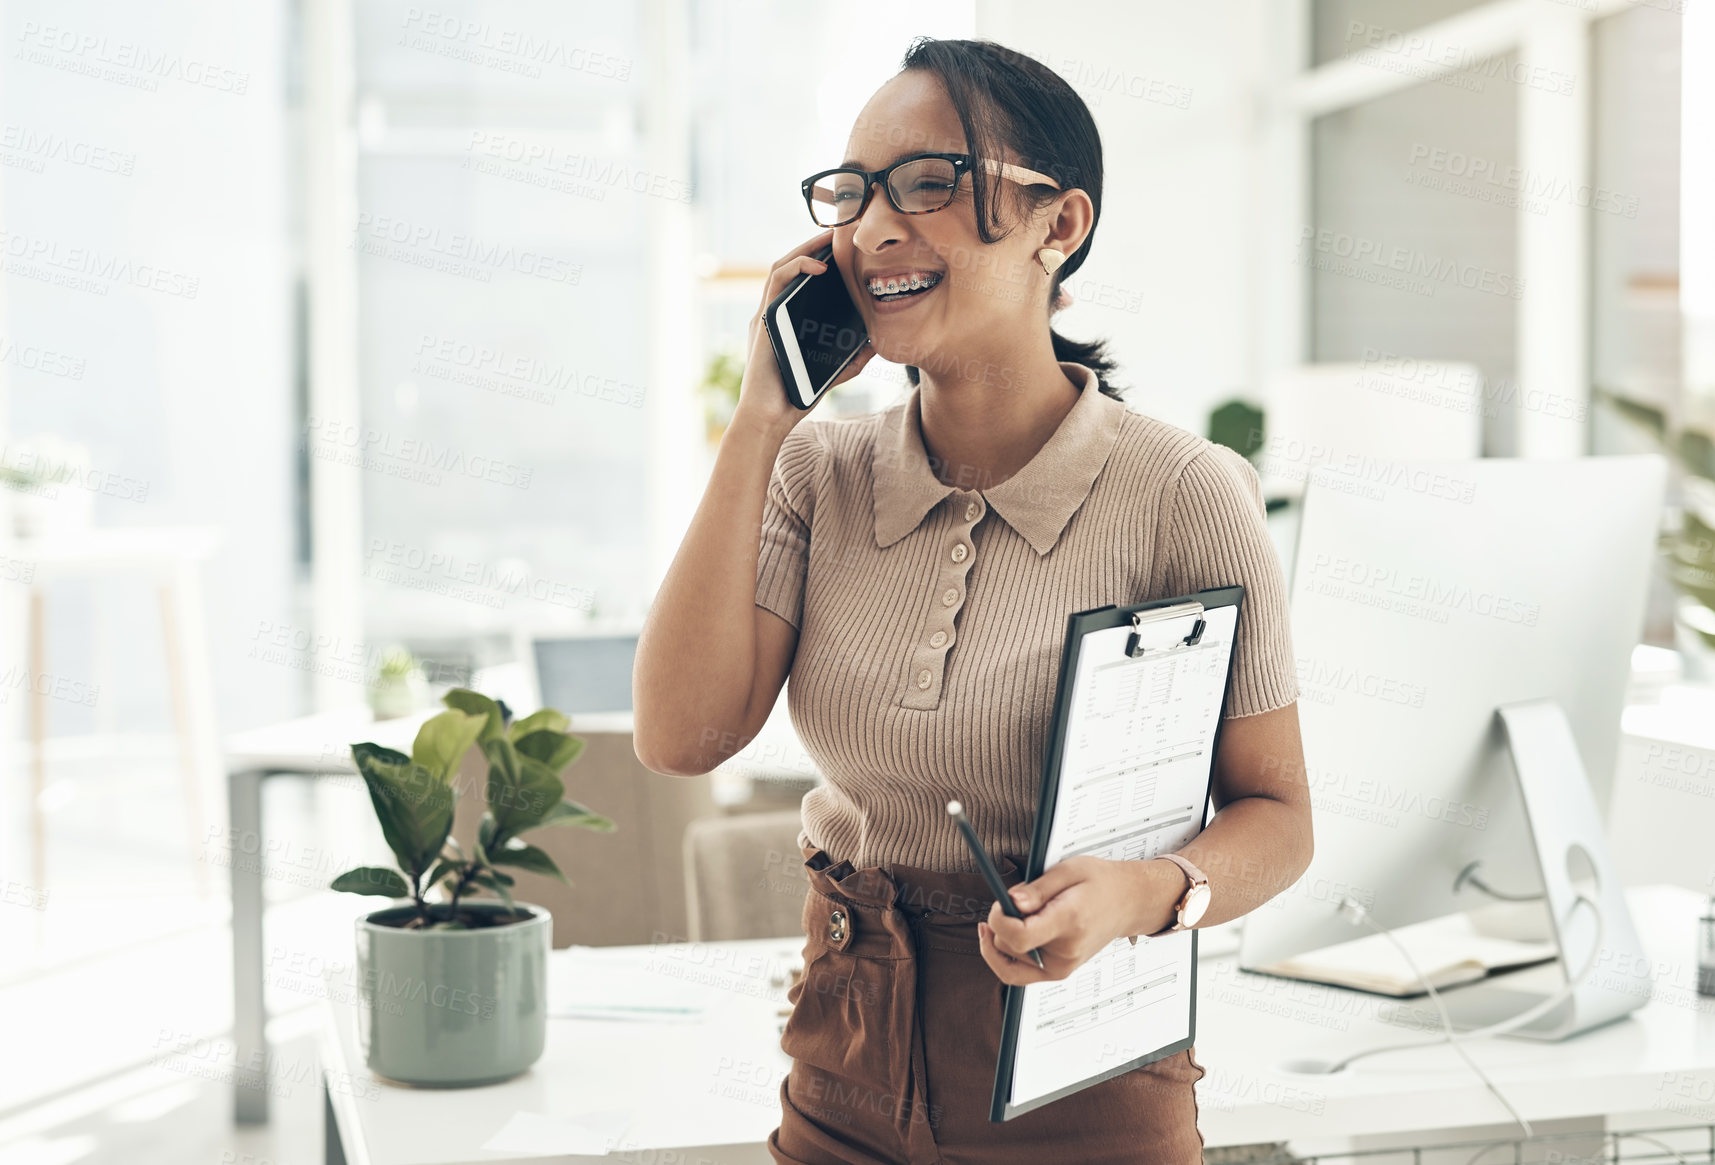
<point>913,570</point>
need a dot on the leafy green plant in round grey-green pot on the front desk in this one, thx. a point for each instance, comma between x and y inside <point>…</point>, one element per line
<point>455,989</point>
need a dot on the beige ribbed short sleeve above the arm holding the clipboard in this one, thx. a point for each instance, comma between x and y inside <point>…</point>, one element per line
<point>1217,536</point>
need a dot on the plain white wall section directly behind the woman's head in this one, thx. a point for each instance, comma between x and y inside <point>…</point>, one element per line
<point>1176,246</point>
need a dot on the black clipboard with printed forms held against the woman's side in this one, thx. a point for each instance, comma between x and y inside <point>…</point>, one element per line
<point>1146,744</point>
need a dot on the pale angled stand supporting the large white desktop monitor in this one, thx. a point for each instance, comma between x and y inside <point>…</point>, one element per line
<point>1574,857</point>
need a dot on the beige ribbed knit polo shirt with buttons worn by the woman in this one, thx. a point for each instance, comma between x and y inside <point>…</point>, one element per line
<point>932,617</point>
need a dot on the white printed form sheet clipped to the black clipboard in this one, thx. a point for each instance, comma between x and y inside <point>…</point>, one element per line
<point>1133,785</point>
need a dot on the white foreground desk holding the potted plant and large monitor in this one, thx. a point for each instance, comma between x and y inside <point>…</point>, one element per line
<point>723,1075</point>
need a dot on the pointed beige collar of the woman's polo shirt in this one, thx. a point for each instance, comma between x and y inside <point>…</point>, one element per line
<point>1037,502</point>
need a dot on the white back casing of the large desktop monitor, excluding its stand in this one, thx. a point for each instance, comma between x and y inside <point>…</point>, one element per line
<point>1424,598</point>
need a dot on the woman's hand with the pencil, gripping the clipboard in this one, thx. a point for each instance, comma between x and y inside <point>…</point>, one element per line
<point>1071,914</point>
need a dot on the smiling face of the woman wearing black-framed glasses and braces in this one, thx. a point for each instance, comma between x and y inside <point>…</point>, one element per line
<point>989,294</point>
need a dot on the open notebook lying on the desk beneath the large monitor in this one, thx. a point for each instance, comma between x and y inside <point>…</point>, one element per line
<point>1448,951</point>
